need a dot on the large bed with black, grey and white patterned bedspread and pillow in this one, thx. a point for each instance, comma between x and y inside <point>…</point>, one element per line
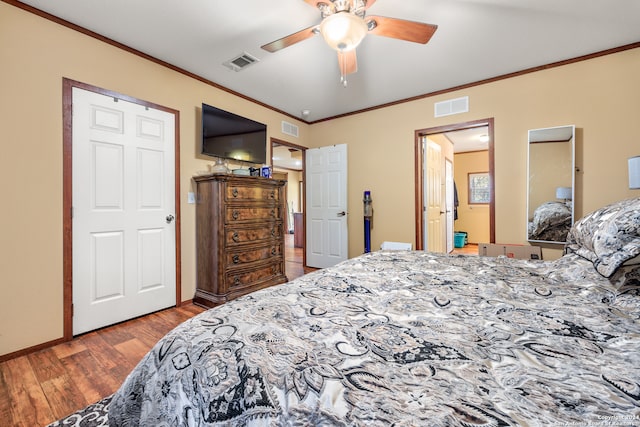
<point>411,338</point>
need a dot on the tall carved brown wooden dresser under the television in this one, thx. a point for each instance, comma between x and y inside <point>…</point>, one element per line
<point>239,236</point>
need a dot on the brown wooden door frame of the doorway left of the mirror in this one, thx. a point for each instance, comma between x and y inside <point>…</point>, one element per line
<point>419,174</point>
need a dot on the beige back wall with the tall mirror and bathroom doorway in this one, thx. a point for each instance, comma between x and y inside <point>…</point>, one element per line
<point>595,95</point>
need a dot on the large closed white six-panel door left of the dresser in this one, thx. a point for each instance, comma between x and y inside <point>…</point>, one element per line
<point>123,207</point>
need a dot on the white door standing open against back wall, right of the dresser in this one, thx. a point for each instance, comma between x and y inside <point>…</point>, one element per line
<point>326,206</point>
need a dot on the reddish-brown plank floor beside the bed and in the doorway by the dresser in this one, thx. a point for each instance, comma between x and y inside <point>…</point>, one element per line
<point>44,386</point>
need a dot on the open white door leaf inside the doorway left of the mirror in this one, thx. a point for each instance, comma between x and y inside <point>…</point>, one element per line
<point>434,239</point>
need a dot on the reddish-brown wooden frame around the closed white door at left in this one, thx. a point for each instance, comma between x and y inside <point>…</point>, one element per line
<point>67,192</point>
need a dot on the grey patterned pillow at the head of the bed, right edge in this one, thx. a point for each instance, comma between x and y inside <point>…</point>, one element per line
<point>608,237</point>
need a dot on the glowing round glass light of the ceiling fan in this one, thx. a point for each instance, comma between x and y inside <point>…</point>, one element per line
<point>343,31</point>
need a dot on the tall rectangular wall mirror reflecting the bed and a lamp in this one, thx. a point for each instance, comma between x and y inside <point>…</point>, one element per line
<point>551,184</point>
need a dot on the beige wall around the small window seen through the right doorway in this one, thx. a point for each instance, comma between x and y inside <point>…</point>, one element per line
<point>474,219</point>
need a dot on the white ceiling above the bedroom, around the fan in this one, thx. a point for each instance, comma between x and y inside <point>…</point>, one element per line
<point>475,40</point>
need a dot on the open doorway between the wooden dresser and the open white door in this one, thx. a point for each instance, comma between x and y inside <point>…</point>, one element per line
<point>288,160</point>
